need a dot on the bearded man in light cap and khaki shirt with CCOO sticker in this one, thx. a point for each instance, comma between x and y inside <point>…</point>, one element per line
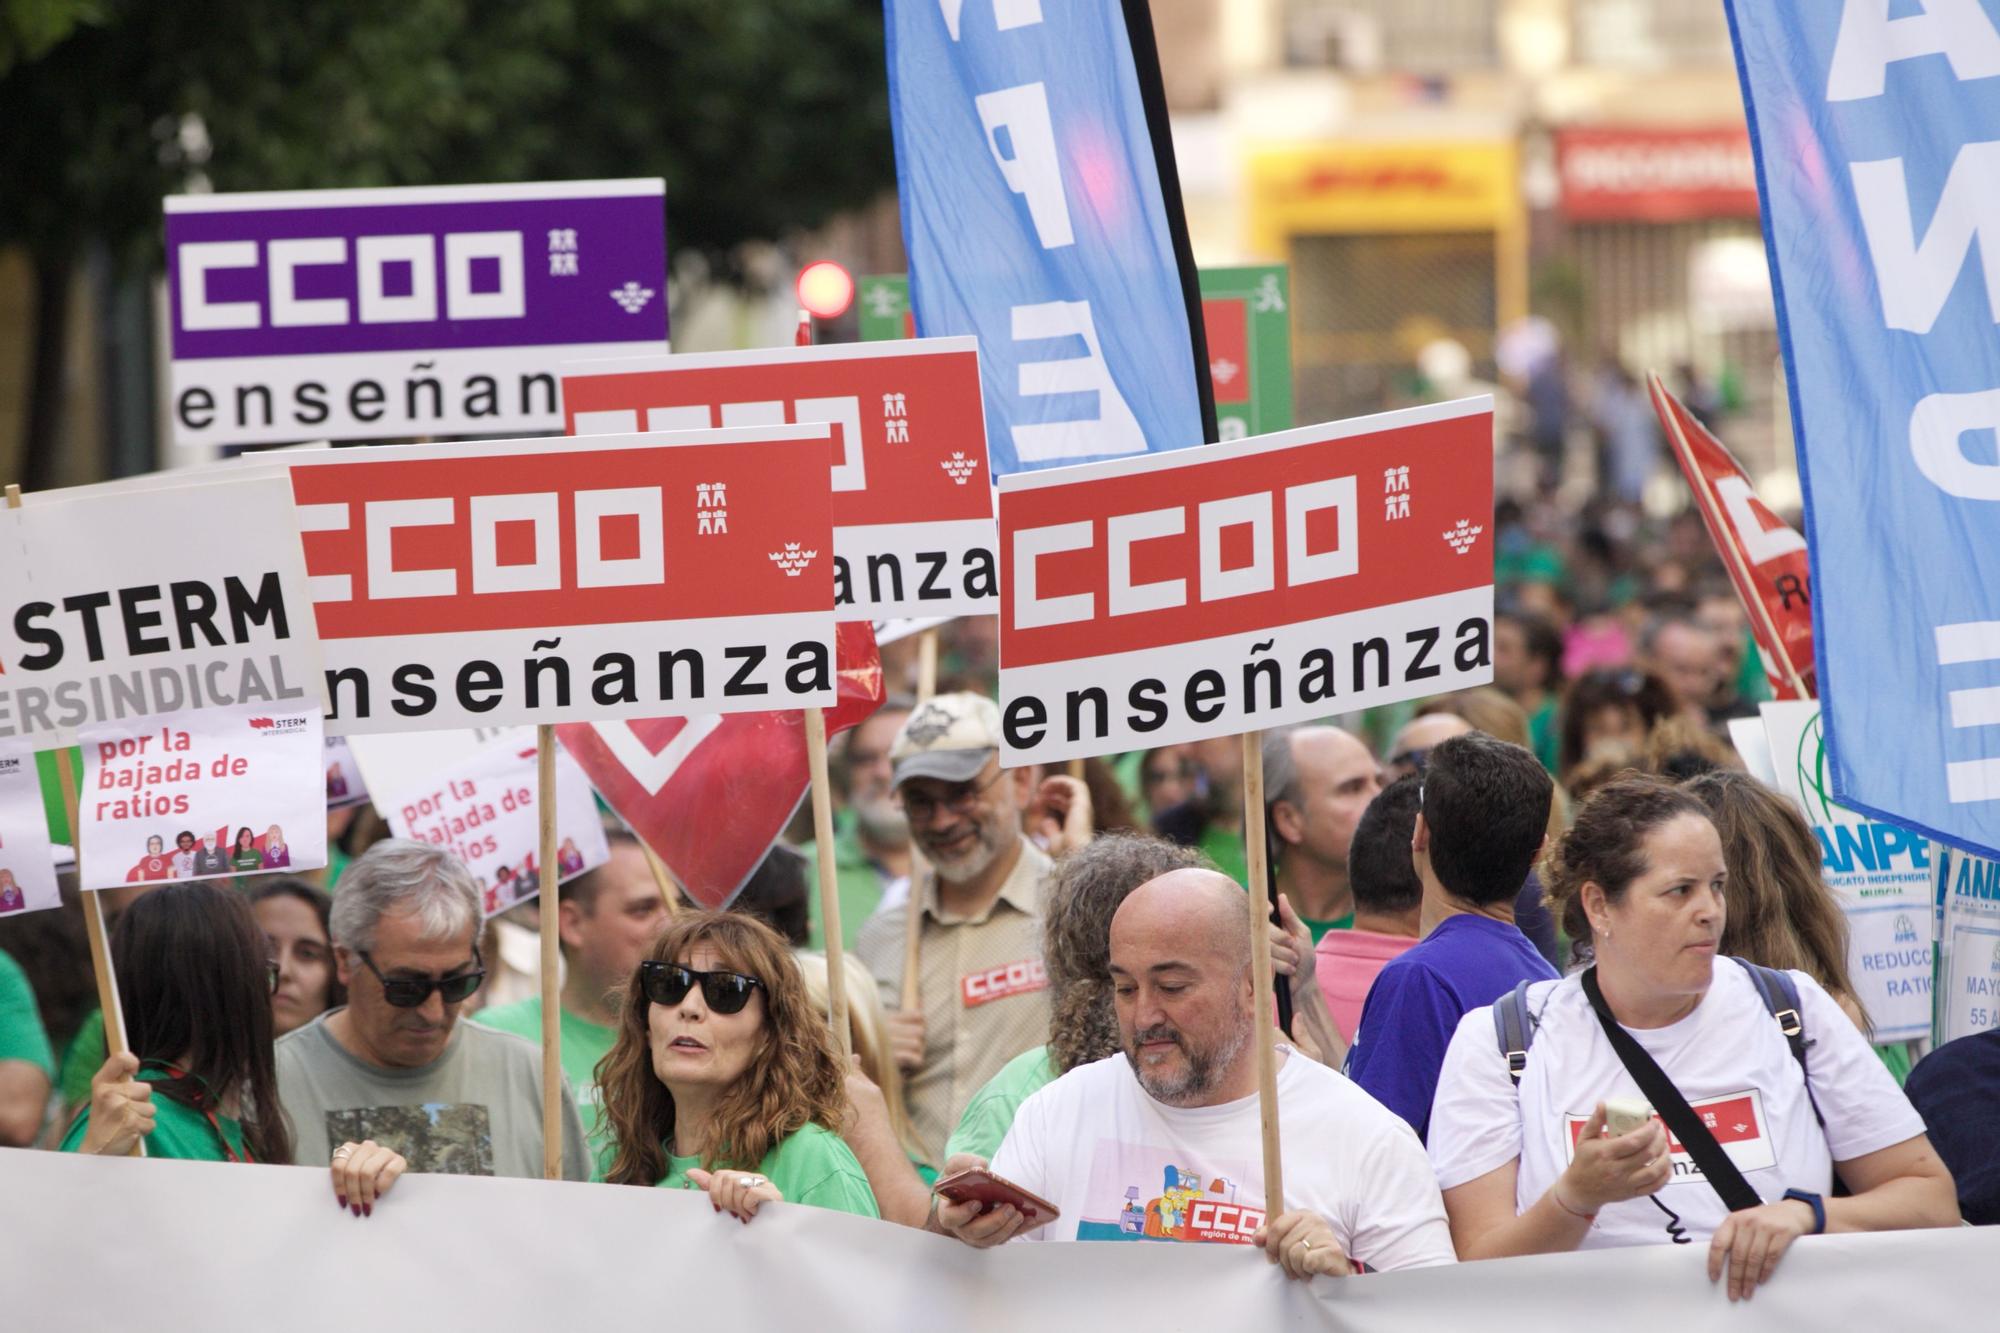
<point>981,982</point>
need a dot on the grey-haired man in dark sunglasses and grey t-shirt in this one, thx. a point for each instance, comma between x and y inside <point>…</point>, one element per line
<point>395,1066</point>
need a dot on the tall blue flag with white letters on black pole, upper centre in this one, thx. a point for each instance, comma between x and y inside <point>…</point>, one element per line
<point>1037,219</point>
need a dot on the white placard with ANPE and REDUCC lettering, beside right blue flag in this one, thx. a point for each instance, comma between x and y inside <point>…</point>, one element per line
<point>1881,874</point>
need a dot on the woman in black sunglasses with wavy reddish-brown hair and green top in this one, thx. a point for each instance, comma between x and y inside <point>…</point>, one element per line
<point>725,1076</point>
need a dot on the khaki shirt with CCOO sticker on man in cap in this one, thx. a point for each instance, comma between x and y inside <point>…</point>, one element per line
<point>983,990</point>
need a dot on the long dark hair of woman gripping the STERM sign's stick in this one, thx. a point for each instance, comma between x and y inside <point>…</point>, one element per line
<point>195,986</point>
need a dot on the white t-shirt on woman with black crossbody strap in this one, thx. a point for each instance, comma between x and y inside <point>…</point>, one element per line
<point>1729,1060</point>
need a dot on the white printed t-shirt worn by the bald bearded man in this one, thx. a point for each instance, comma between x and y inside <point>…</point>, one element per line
<point>1127,1168</point>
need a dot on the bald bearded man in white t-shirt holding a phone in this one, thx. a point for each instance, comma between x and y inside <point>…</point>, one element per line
<point>1163,1140</point>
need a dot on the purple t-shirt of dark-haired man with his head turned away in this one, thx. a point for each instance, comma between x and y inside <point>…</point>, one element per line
<point>1419,1000</point>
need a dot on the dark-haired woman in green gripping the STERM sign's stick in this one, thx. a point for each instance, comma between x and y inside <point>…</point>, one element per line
<point>199,1082</point>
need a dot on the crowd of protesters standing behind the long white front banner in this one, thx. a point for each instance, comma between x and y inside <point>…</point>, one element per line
<point>1503,916</point>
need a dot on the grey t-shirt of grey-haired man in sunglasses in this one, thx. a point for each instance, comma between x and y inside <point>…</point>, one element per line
<point>477,1110</point>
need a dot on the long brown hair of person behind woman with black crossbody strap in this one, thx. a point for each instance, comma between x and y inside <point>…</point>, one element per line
<point>1781,912</point>
